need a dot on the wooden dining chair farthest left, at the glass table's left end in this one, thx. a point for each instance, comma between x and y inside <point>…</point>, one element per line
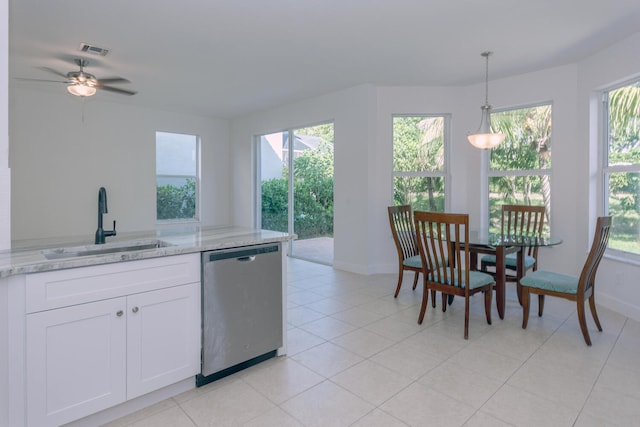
<point>404,236</point>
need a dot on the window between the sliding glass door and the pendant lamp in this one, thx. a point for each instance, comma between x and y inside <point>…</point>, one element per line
<point>420,161</point>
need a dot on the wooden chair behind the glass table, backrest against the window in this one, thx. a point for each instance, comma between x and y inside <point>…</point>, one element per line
<point>518,220</point>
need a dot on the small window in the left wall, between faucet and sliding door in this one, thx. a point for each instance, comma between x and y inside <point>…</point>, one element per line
<point>177,175</point>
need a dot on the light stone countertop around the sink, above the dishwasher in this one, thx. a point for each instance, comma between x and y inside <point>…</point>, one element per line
<point>29,256</point>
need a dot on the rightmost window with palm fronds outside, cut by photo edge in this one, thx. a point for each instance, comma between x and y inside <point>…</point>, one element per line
<point>621,166</point>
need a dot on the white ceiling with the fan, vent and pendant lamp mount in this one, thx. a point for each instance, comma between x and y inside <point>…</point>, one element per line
<point>229,58</point>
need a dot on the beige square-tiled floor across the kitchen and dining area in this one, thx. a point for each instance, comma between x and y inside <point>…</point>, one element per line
<point>358,357</point>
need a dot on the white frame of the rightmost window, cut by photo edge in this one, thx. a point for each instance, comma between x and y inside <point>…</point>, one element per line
<point>605,170</point>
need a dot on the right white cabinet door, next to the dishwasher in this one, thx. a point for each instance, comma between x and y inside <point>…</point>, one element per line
<point>163,339</point>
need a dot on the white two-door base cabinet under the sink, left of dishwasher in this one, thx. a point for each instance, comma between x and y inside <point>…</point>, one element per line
<point>86,357</point>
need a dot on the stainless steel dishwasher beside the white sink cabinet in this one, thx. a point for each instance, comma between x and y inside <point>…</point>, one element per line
<point>241,308</point>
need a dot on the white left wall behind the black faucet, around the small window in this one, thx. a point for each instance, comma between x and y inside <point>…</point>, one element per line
<point>60,156</point>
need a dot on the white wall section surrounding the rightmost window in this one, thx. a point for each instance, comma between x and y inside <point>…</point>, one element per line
<point>617,281</point>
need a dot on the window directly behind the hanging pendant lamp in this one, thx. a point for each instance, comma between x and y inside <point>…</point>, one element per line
<point>520,167</point>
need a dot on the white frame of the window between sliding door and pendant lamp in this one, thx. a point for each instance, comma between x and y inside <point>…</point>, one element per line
<point>445,174</point>
